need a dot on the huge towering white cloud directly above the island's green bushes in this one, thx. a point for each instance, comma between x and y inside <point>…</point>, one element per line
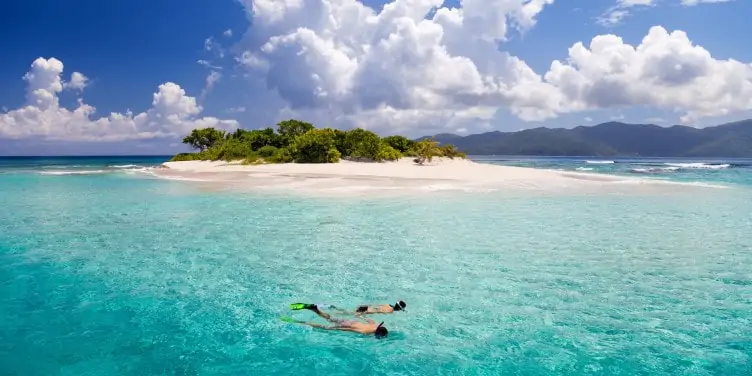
<point>343,62</point>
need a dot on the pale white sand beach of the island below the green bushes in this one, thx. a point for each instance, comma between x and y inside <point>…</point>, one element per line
<point>403,176</point>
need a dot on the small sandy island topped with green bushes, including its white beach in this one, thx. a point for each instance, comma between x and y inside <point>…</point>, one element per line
<point>301,158</point>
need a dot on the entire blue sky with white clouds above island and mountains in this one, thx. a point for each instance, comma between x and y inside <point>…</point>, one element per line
<point>106,77</point>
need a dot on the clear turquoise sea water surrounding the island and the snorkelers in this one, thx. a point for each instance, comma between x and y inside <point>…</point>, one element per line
<point>107,271</point>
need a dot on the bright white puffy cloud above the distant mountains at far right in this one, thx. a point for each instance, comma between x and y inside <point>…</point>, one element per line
<point>665,71</point>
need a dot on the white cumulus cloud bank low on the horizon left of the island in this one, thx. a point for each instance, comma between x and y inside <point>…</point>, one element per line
<point>173,113</point>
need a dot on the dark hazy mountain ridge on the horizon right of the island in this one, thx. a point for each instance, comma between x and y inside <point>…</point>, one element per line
<point>733,140</point>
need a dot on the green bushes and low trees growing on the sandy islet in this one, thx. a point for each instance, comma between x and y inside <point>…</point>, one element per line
<point>300,142</point>
